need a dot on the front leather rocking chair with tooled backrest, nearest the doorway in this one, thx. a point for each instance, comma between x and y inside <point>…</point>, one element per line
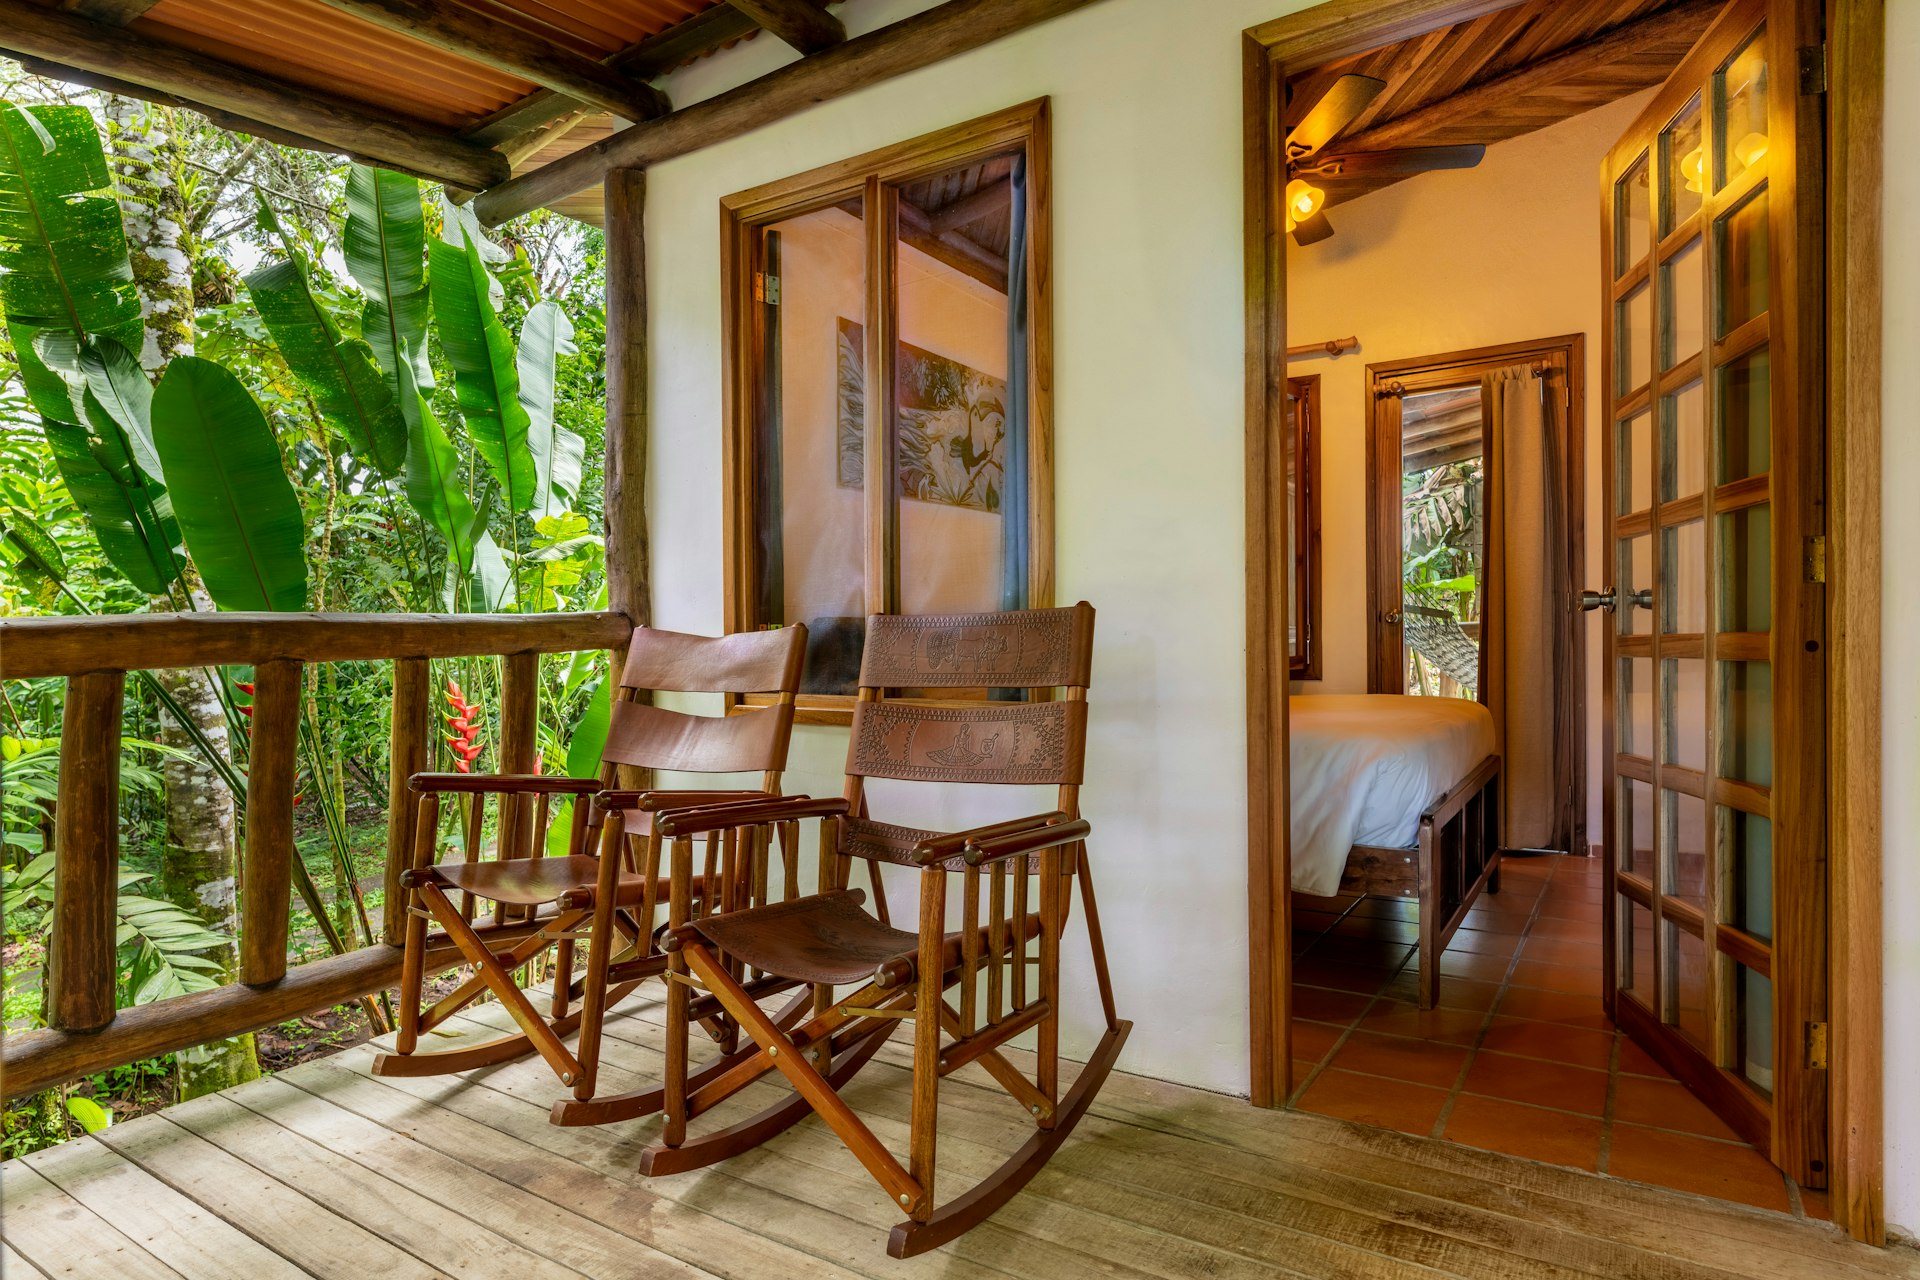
<point>828,941</point>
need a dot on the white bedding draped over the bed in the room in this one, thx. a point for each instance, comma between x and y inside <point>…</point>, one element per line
<point>1366,767</point>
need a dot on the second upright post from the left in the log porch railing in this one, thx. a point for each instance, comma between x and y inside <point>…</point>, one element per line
<point>268,874</point>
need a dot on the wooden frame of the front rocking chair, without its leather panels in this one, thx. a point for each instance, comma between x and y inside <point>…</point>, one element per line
<point>999,937</point>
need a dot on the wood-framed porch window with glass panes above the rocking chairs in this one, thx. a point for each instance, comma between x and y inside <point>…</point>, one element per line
<point>888,392</point>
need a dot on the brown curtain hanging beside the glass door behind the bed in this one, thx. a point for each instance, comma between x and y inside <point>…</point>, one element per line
<point>1527,650</point>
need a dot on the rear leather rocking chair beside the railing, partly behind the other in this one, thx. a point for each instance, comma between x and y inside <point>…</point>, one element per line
<point>612,899</point>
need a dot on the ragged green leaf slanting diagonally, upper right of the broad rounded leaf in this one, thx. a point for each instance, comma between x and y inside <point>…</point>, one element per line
<point>348,387</point>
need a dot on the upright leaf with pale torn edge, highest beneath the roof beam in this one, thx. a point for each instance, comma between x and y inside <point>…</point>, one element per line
<point>387,256</point>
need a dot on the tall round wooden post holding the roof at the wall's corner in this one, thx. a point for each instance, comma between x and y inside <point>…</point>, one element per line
<point>629,554</point>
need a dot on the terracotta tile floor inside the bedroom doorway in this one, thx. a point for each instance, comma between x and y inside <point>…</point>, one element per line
<point>1520,1056</point>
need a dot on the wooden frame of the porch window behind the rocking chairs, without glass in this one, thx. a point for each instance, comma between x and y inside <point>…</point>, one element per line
<point>876,176</point>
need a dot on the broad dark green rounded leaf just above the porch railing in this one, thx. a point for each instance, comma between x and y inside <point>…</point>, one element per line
<point>229,488</point>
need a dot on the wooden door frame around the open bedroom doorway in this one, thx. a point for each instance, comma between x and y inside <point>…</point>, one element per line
<point>1858,53</point>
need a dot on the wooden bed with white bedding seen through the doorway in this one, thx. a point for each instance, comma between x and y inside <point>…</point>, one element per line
<point>1397,797</point>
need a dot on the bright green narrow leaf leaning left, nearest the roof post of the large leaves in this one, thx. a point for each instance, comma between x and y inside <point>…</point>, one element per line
<point>485,373</point>
